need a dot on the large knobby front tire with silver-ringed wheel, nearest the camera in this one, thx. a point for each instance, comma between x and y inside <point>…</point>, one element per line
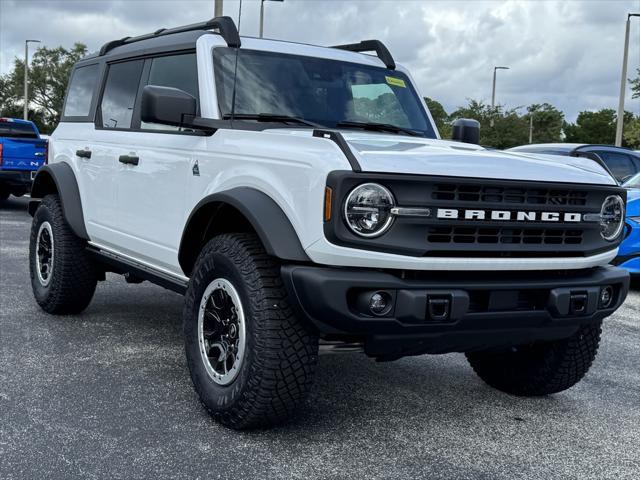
<point>251,360</point>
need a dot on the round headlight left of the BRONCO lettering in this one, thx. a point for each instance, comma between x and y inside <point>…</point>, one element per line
<point>368,210</point>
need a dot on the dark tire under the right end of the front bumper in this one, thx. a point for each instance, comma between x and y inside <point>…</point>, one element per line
<point>542,368</point>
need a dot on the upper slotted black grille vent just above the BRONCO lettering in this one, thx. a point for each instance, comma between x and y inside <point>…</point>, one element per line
<point>513,195</point>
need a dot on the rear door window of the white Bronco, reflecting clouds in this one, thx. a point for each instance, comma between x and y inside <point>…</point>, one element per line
<point>119,96</point>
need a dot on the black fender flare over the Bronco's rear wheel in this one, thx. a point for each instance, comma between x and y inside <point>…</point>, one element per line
<point>59,178</point>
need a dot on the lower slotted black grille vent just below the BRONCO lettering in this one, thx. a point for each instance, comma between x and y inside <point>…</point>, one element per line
<point>504,235</point>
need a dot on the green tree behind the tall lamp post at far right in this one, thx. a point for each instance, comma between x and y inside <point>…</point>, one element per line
<point>595,127</point>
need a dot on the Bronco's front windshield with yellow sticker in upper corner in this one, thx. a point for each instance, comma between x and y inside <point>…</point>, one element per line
<point>318,90</point>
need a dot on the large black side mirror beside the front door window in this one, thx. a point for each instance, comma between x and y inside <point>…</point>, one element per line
<point>167,105</point>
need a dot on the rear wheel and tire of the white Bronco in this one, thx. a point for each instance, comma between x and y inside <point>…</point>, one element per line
<point>63,277</point>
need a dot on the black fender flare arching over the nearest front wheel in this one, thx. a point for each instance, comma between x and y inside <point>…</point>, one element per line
<point>274,229</point>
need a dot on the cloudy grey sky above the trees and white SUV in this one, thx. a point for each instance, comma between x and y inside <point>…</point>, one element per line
<point>565,52</point>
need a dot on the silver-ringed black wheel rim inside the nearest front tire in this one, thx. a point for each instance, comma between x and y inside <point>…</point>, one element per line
<point>221,331</point>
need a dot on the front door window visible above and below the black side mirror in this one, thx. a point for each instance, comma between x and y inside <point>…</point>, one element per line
<point>177,71</point>
